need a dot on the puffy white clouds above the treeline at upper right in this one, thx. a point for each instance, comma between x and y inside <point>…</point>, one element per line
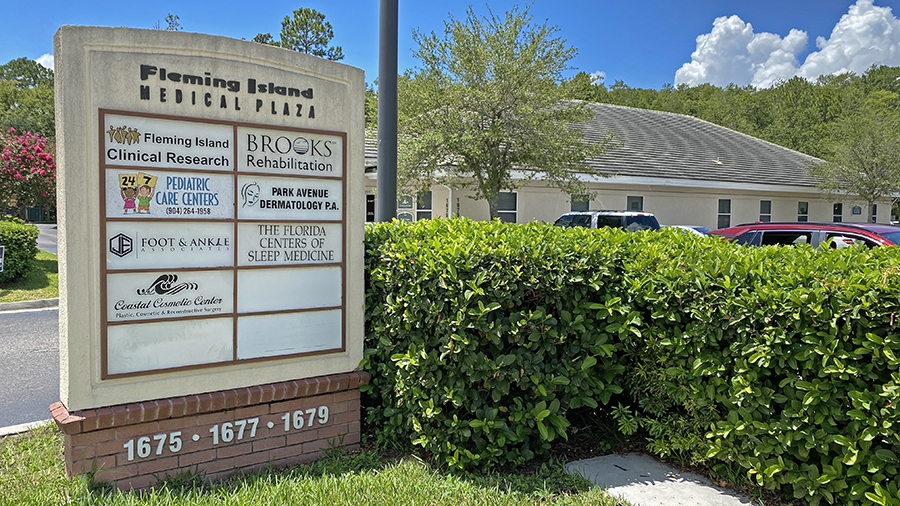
<point>733,53</point>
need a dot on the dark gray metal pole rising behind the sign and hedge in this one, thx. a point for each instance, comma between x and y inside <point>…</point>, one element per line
<point>386,194</point>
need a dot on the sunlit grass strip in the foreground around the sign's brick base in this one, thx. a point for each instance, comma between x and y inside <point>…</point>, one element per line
<point>32,473</point>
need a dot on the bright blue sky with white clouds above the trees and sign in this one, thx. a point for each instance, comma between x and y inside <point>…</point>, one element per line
<point>645,43</point>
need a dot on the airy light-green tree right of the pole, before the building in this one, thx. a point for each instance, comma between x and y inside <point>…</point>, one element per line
<point>487,102</point>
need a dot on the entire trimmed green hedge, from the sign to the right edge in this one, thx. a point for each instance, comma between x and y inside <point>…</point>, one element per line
<point>780,362</point>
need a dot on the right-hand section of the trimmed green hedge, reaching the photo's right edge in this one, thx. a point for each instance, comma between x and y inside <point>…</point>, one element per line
<point>793,350</point>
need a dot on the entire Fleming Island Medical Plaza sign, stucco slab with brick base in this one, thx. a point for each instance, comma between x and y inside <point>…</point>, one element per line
<point>210,231</point>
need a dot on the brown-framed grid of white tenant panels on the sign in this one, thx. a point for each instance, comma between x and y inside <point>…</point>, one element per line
<point>224,242</point>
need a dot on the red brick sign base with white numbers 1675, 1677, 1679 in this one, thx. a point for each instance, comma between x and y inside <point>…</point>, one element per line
<point>215,434</point>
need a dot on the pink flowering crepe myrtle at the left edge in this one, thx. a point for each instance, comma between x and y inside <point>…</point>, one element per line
<point>27,170</point>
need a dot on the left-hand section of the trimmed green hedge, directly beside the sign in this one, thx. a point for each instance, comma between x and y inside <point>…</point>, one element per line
<point>480,336</point>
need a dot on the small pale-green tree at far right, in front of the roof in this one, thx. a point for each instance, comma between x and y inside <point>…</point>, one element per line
<point>865,156</point>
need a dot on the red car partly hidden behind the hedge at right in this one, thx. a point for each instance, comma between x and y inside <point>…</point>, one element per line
<point>835,235</point>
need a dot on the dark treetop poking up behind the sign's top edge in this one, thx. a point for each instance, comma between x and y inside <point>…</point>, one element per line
<point>306,32</point>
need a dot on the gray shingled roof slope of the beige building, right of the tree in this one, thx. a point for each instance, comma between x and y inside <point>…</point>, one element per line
<point>668,145</point>
